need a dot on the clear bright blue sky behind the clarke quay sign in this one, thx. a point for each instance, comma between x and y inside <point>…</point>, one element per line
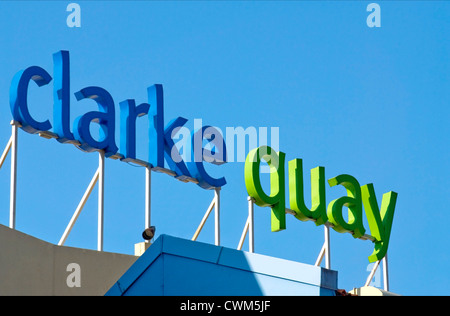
<point>370,102</point>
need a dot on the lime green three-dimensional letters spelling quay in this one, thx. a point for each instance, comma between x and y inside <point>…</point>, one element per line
<point>379,220</point>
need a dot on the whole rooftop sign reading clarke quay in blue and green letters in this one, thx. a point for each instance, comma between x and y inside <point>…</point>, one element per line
<point>162,151</point>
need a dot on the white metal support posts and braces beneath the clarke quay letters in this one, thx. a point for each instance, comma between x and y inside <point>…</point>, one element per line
<point>98,177</point>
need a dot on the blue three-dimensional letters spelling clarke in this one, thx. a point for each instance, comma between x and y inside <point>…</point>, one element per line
<point>161,145</point>
